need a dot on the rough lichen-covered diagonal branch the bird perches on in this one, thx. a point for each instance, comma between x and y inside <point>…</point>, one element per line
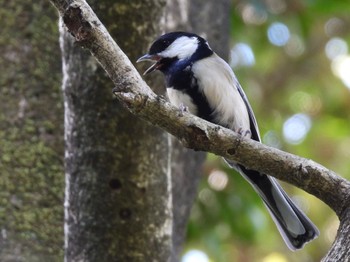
<point>199,134</point>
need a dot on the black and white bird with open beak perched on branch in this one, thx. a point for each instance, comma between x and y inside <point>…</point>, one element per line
<point>204,83</point>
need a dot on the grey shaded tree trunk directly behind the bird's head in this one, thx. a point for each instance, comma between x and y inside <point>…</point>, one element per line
<point>193,16</point>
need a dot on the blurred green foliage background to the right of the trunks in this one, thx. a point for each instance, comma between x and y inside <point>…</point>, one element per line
<point>232,224</point>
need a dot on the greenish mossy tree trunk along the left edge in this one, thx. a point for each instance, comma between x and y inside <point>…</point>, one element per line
<point>31,127</point>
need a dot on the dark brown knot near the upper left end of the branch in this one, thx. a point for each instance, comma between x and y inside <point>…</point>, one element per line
<point>76,24</point>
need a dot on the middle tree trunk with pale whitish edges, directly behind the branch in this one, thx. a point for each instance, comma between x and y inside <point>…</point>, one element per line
<point>117,200</point>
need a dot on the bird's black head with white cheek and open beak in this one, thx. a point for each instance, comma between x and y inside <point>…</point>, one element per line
<point>172,47</point>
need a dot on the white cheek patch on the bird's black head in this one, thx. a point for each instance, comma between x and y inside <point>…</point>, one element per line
<point>183,47</point>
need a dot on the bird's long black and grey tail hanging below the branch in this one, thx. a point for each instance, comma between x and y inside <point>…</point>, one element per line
<point>294,226</point>
